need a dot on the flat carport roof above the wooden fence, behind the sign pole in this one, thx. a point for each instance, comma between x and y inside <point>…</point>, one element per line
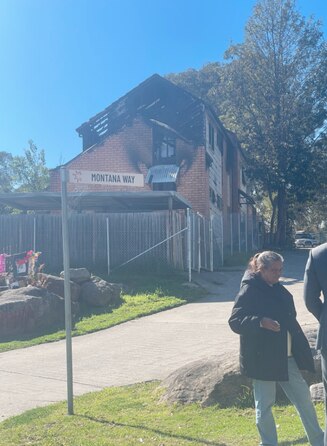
<point>97,201</point>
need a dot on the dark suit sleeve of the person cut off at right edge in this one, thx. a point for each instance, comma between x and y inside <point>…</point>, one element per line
<point>312,289</point>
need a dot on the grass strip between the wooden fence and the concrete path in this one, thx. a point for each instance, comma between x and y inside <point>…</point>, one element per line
<point>147,294</point>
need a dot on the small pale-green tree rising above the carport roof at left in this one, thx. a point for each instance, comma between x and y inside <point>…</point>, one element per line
<point>29,171</point>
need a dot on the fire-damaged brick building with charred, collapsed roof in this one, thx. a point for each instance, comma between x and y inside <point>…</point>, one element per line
<point>159,137</point>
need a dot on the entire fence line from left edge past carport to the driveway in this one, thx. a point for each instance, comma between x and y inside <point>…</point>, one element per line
<point>156,238</point>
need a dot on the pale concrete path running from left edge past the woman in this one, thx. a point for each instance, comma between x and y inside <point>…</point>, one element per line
<point>144,349</point>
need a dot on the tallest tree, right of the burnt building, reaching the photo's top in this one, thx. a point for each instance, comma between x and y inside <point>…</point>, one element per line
<point>274,91</point>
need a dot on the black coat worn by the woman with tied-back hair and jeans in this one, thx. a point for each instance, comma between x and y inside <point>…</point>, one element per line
<point>263,353</point>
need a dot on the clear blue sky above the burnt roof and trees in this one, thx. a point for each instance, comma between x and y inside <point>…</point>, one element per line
<point>63,61</point>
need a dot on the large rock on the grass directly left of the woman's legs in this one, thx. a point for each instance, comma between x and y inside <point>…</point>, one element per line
<point>208,381</point>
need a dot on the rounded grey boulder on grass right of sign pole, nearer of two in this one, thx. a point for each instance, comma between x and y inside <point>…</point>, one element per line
<point>99,293</point>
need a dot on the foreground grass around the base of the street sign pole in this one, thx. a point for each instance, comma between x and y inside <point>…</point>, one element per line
<point>133,415</point>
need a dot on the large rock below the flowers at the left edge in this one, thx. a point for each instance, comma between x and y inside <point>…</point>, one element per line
<point>27,310</point>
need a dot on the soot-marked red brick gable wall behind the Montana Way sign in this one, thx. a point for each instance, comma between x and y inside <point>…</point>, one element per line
<point>130,150</point>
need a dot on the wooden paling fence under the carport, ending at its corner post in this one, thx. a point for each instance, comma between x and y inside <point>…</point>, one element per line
<point>91,235</point>
